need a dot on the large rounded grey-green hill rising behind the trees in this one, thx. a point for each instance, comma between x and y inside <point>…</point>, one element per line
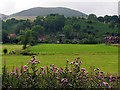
<point>39,11</point>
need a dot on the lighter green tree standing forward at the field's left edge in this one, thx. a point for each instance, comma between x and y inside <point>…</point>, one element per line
<point>26,37</point>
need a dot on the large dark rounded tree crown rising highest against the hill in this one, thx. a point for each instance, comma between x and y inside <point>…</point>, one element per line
<point>54,23</point>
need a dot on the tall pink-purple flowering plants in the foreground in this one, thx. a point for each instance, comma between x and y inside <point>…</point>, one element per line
<point>71,76</point>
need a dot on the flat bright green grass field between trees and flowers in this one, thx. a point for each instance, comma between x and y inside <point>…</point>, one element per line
<point>100,55</point>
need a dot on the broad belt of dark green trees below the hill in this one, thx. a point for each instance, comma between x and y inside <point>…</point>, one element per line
<point>90,30</point>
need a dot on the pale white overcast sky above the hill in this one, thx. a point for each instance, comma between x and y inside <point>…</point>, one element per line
<point>98,7</point>
